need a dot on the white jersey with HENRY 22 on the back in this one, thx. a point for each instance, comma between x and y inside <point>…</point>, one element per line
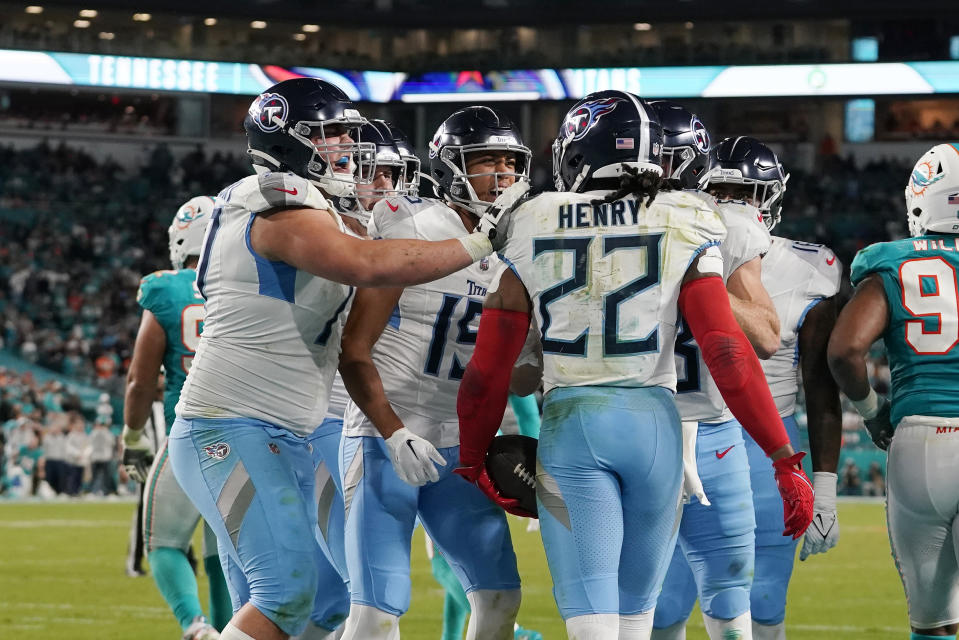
<point>604,281</point>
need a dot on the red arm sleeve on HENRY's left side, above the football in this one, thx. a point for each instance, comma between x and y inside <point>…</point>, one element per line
<point>484,390</point>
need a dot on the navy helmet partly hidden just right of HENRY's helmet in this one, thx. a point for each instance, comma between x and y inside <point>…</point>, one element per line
<point>685,145</point>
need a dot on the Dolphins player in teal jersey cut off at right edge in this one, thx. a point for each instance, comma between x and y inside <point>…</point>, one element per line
<point>906,294</point>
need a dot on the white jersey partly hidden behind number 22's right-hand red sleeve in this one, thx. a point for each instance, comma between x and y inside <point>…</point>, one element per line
<point>697,396</point>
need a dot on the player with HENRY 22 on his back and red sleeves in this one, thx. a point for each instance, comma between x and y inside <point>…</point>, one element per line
<point>608,264</point>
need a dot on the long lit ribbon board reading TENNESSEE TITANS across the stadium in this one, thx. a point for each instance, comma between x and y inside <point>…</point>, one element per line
<point>736,81</point>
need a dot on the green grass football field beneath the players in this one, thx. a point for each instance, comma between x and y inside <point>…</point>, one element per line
<point>62,577</point>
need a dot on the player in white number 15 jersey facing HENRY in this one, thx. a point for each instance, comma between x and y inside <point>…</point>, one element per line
<point>404,351</point>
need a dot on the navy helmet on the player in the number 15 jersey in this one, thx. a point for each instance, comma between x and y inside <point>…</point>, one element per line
<point>472,130</point>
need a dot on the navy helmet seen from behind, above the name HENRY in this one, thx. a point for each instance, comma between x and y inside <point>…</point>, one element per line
<point>601,133</point>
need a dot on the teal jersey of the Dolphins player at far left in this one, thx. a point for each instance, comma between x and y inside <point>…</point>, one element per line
<point>172,297</point>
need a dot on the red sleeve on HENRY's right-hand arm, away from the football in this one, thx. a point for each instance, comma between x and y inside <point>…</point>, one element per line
<point>732,361</point>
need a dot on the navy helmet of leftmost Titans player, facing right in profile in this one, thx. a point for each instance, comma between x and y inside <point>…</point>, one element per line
<point>287,127</point>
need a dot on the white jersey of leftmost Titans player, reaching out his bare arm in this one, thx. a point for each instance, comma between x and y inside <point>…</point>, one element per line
<point>271,336</point>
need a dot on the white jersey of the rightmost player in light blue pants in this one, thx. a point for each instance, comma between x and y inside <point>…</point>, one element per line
<point>797,275</point>
